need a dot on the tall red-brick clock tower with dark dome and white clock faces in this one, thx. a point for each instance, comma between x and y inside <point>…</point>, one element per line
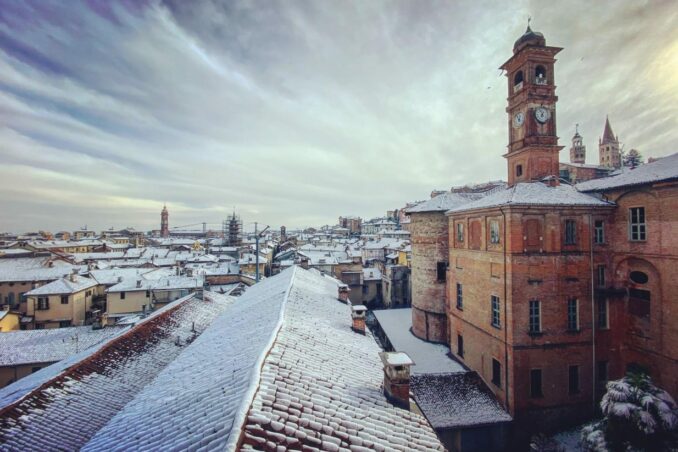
<point>533,144</point>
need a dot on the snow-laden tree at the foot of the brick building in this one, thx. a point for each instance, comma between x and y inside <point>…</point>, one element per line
<point>637,414</point>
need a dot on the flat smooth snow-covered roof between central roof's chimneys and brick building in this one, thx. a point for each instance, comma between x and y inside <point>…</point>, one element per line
<point>429,357</point>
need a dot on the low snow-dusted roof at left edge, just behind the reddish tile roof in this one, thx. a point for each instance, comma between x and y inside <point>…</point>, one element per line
<point>49,345</point>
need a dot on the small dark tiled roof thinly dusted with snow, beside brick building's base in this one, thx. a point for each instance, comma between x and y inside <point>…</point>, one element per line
<point>456,400</point>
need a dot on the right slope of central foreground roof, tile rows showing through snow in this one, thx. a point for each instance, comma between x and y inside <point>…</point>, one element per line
<point>321,383</point>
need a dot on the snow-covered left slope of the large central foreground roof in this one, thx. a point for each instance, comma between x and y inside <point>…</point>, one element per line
<point>197,397</point>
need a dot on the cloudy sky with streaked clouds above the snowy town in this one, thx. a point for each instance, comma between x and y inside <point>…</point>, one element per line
<point>296,112</point>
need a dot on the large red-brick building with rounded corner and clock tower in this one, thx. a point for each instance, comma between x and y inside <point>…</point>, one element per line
<point>548,290</point>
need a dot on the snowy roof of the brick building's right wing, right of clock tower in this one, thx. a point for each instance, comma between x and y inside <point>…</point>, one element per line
<point>662,169</point>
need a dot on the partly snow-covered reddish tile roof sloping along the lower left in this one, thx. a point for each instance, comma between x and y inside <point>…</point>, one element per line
<point>70,407</point>
